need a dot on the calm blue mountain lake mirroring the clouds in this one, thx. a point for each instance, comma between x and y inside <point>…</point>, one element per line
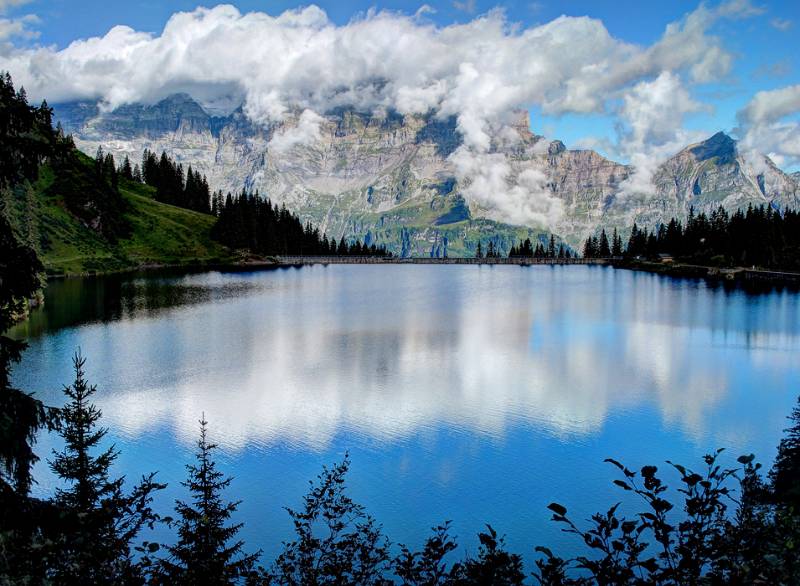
<point>477,394</point>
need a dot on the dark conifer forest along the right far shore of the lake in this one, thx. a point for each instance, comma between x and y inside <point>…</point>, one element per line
<point>759,236</point>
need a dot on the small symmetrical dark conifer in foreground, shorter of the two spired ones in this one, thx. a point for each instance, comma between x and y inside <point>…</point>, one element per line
<point>205,552</point>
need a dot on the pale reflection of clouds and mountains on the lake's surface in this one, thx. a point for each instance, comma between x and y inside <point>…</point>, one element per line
<point>301,356</point>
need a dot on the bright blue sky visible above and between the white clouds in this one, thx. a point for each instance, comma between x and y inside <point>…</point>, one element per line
<point>764,46</point>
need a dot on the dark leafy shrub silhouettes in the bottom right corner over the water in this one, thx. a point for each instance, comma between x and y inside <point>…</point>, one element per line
<point>704,544</point>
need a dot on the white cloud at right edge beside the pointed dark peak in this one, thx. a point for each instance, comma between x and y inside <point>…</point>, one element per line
<point>764,127</point>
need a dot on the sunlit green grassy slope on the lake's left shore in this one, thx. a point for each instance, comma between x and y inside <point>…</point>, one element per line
<point>159,234</point>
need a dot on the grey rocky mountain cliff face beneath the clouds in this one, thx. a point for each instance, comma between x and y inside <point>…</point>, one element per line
<point>391,178</point>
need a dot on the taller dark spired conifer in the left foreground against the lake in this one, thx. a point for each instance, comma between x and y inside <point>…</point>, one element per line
<point>100,521</point>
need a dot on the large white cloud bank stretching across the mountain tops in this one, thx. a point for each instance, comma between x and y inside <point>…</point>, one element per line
<point>299,61</point>
